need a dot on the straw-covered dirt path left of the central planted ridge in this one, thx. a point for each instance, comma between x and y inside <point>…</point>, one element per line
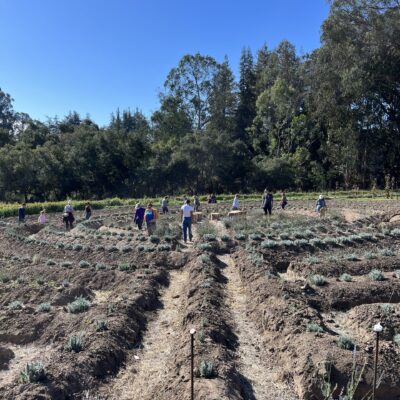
<point>149,365</point>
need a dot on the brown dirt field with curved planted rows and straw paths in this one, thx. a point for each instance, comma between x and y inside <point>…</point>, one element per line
<point>283,306</point>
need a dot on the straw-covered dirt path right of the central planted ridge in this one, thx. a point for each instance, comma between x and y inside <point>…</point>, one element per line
<point>260,380</point>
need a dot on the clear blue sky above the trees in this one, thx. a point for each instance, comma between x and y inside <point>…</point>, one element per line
<point>93,56</point>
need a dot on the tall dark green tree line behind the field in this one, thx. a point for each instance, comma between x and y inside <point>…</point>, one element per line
<point>327,119</point>
